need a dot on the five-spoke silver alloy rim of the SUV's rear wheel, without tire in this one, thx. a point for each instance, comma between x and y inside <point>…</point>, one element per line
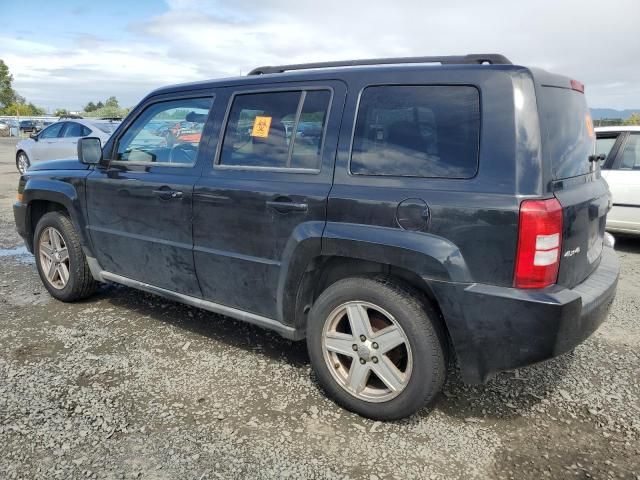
<point>367,351</point>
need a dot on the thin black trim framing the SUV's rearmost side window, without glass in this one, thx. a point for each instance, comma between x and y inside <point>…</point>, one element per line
<point>355,120</point>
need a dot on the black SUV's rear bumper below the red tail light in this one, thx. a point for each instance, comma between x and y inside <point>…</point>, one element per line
<point>499,328</point>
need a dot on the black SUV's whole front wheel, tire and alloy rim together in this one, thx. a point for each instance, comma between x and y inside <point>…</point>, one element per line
<point>60,260</point>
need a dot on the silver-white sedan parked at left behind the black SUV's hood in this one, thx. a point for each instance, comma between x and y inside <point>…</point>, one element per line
<point>60,140</point>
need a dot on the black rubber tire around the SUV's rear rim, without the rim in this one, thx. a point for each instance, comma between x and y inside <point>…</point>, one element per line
<point>421,325</point>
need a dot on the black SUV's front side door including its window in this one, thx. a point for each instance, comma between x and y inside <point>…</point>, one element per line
<point>140,208</point>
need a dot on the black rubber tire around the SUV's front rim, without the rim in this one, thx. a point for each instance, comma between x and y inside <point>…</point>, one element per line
<point>81,283</point>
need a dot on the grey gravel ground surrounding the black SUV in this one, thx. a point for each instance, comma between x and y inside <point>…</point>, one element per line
<point>128,385</point>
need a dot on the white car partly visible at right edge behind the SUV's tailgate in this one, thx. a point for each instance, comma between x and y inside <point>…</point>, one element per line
<point>621,169</point>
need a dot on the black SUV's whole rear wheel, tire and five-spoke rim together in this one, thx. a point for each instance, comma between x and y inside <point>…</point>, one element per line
<point>376,347</point>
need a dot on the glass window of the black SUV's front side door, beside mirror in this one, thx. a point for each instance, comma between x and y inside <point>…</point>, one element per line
<point>166,132</point>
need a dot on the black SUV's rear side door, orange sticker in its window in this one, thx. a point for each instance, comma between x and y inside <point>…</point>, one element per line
<point>266,189</point>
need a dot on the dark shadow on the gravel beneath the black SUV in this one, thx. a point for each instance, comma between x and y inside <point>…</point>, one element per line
<point>505,396</point>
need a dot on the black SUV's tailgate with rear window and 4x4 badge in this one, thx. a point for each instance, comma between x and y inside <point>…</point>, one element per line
<point>568,142</point>
